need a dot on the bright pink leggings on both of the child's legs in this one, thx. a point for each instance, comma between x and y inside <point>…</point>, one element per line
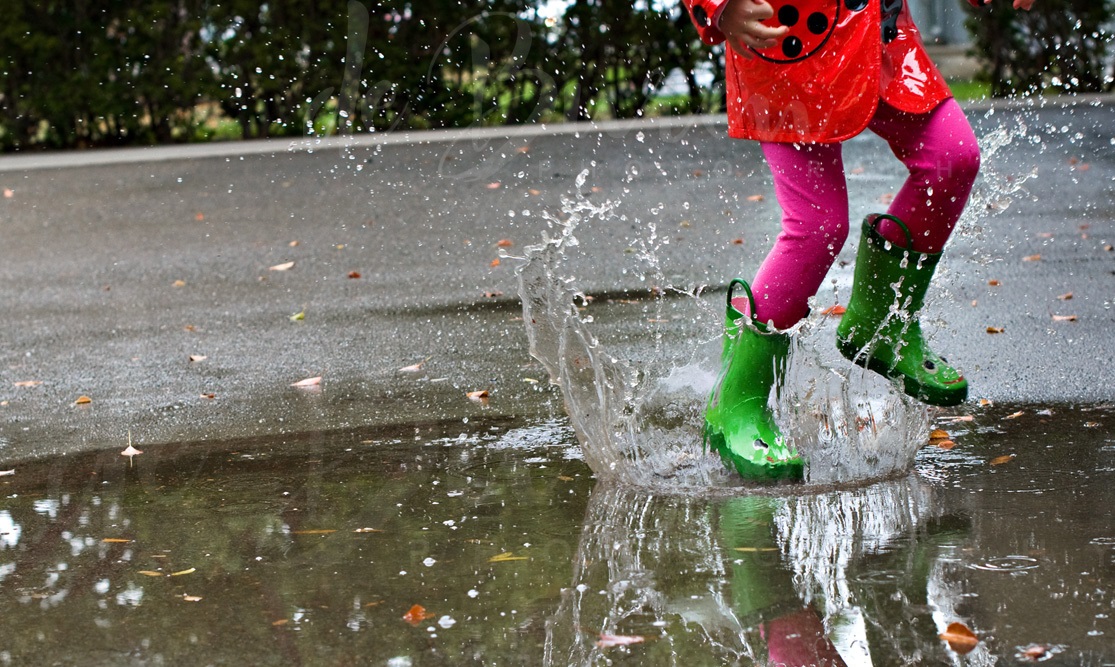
<point>941,151</point>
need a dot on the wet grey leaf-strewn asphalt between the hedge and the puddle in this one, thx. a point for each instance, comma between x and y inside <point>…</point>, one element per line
<point>152,292</point>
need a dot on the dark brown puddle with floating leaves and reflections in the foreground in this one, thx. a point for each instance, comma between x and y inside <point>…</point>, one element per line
<point>313,550</point>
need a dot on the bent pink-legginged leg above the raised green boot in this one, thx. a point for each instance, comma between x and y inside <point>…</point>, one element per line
<point>943,156</point>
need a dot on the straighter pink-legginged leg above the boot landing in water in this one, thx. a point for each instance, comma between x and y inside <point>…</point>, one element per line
<point>809,181</point>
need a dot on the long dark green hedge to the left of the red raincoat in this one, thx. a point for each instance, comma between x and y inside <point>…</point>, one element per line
<point>96,73</point>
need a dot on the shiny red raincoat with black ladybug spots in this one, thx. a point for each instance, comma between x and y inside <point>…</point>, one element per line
<point>823,82</point>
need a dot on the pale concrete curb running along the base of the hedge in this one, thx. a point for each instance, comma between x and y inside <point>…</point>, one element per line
<point>113,157</point>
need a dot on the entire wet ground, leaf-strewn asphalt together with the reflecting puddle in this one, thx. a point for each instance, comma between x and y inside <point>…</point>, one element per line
<point>306,525</point>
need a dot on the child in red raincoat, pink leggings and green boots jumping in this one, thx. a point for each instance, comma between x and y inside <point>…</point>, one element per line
<point>802,78</point>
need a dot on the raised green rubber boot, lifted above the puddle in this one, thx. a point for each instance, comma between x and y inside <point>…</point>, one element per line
<point>881,330</point>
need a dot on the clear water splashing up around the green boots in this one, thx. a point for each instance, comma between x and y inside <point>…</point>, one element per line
<point>641,422</point>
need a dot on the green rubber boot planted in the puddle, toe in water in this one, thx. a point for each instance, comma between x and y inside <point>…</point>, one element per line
<point>739,424</point>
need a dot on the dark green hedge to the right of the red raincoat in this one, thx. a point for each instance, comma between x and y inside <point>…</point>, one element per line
<point>1058,46</point>
